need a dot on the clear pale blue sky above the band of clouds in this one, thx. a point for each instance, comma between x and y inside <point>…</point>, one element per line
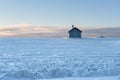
<point>99,13</point>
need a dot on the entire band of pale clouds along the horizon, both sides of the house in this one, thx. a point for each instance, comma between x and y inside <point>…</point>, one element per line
<point>24,30</point>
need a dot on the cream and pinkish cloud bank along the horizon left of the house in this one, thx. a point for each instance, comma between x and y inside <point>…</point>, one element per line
<point>30,31</point>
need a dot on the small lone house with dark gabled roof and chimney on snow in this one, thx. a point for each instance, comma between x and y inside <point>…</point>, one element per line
<point>75,32</point>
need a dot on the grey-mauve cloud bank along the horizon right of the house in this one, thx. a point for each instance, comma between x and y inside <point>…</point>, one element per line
<point>106,32</point>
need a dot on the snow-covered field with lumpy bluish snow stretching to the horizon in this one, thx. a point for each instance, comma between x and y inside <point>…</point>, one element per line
<point>59,59</point>
